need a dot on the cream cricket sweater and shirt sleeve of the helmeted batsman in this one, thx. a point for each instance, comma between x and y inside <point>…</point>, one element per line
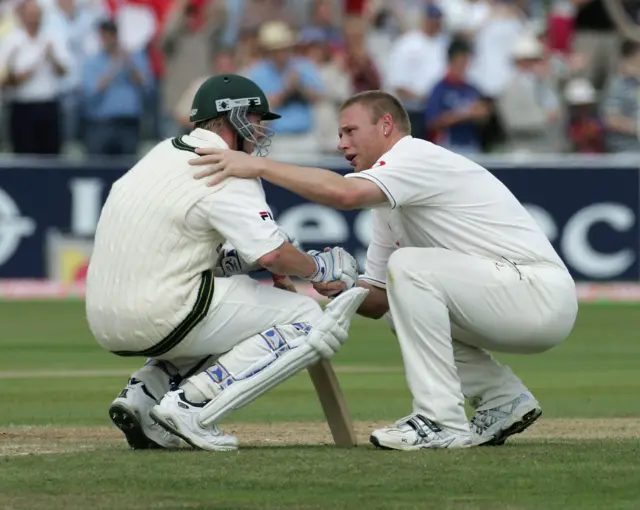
<point>149,281</point>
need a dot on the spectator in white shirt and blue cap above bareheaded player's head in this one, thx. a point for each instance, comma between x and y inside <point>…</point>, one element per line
<point>417,60</point>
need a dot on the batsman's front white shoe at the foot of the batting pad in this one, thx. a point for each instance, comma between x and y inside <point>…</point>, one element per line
<point>180,417</point>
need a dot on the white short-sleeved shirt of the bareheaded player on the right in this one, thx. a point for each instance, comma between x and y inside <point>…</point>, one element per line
<point>440,199</point>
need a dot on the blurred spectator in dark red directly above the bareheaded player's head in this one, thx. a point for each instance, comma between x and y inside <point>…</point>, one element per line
<point>357,61</point>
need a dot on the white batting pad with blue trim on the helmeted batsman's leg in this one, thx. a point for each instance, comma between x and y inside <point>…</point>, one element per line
<point>269,359</point>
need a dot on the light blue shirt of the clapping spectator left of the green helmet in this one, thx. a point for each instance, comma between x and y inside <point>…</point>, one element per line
<point>123,97</point>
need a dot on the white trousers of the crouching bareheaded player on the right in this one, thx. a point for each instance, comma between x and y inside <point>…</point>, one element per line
<point>448,307</point>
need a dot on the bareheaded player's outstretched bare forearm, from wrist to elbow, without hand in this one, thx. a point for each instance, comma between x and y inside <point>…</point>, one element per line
<point>315,184</point>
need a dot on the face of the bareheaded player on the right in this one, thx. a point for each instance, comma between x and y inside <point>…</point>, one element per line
<point>361,141</point>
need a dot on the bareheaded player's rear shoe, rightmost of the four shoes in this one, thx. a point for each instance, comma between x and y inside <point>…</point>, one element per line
<point>494,426</point>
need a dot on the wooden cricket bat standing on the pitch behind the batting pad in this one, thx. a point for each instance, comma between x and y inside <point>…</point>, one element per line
<point>328,390</point>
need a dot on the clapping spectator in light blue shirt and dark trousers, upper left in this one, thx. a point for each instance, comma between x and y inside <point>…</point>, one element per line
<point>114,83</point>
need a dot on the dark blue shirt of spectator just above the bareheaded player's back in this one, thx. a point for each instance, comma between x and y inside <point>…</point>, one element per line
<point>450,95</point>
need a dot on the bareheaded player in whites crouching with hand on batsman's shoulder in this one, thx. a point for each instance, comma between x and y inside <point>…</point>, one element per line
<point>456,264</point>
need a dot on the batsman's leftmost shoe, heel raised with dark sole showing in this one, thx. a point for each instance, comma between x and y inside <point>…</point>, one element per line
<point>130,413</point>
